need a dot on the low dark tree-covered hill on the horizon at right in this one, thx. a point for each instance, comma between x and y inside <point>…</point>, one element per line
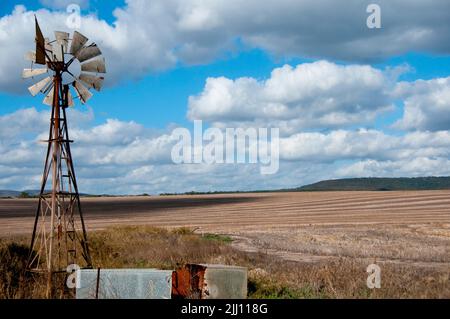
<point>379,184</point>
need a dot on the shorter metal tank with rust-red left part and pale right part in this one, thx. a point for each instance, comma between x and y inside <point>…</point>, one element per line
<point>207,281</point>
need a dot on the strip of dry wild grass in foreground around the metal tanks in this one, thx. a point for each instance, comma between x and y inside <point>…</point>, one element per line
<point>269,277</point>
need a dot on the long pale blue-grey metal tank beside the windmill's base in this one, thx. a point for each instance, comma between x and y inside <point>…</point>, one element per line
<point>124,284</point>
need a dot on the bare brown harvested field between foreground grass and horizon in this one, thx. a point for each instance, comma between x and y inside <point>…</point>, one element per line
<point>410,227</point>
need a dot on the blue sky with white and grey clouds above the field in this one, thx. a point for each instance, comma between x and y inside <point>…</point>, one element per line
<point>361,102</point>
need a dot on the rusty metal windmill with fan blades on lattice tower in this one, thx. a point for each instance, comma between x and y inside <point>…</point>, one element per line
<point>59,236</point>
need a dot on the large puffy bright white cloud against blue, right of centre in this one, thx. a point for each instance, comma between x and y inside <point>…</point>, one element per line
<point>311,95</point>
